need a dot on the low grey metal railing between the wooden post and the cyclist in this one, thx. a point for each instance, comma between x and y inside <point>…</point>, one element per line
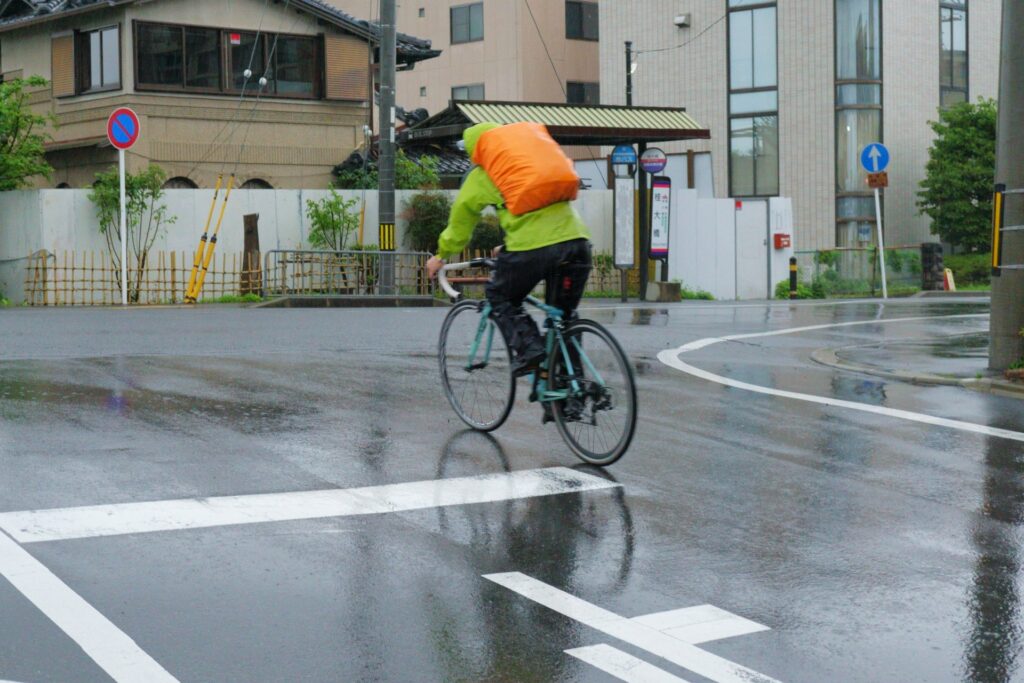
<point>353,273</point>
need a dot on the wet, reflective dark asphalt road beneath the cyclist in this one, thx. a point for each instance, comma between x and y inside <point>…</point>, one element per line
<point>874,548</point>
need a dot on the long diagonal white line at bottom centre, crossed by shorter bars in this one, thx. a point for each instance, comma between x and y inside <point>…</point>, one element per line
<point>677,652</point>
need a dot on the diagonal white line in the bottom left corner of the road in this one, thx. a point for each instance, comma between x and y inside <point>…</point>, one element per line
<point>109,647</point>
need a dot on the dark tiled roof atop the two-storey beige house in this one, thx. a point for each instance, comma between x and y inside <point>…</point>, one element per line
<point>411,49</point>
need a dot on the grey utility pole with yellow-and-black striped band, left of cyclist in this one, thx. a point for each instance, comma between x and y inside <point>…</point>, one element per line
<point>386,159</point>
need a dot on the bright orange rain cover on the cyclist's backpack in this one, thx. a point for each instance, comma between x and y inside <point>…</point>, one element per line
<point>528,166</point>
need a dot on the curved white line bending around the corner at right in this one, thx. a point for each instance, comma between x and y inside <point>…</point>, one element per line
<point>671,359</point>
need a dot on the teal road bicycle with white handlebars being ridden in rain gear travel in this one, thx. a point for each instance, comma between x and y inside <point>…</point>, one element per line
<point>591,394</point>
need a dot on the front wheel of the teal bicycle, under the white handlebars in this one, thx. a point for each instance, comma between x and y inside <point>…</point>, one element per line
<point>477,368</point>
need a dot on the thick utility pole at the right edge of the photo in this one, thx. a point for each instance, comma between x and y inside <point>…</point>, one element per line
<point>1008,287</point>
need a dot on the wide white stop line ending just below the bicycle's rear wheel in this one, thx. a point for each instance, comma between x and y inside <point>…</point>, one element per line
<point>100,521</point>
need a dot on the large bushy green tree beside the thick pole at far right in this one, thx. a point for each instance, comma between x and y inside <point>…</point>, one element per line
<point>957,192</point>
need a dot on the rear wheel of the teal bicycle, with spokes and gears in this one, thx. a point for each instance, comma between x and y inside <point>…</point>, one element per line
<point>600,418</point>
